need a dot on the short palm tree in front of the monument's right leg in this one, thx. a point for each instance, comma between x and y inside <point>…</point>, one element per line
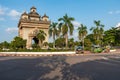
<point>41,37</point>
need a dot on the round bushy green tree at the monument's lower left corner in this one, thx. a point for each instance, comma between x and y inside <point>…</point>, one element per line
<point>18,43</point>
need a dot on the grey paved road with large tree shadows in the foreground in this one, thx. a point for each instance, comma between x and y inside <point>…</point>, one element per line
<point>88,67</point>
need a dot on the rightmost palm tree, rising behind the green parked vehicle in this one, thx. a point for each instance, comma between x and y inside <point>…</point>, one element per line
<point>98,32</point>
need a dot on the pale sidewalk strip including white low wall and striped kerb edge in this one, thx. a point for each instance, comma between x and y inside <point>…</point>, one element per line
<point>54,53</point>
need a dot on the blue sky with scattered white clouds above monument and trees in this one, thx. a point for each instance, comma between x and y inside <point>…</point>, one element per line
<point>84,11</point>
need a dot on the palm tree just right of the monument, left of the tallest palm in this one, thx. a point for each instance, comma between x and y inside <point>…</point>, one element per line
<point>53,31</point>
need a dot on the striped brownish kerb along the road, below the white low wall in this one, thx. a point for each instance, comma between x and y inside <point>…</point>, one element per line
<point>41,55</point>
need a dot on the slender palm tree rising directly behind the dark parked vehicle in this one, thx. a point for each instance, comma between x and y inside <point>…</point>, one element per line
<point>82,32</point>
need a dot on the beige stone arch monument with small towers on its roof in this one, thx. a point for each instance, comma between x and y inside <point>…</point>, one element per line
<point>30,23</point>
